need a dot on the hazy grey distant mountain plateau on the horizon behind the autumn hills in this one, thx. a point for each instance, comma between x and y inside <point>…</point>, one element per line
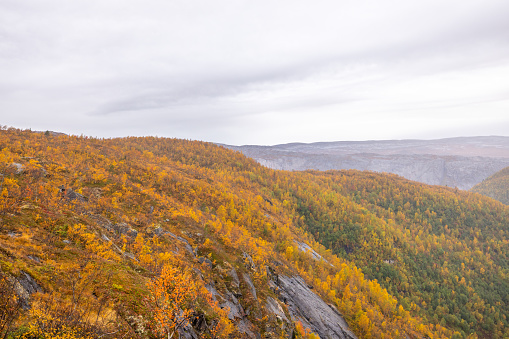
<point>455,162</point>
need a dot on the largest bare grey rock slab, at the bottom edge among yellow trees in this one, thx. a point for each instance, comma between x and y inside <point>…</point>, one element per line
<point>311,310</point>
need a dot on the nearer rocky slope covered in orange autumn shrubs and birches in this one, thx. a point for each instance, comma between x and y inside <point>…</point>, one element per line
<point>130,237</point>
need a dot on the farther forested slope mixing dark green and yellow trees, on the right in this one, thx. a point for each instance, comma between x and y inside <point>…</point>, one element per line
<point>439,250</point>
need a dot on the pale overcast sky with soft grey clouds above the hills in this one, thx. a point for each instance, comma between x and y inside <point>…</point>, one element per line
<point>256,72</point>
